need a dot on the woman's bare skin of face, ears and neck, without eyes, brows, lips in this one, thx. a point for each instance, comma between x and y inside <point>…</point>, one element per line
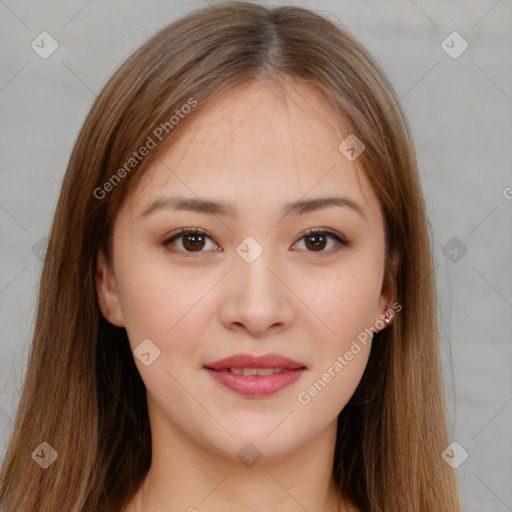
<point>257,152</point>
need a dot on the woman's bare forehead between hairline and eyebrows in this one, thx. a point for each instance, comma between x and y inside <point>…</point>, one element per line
<point>257,141</point>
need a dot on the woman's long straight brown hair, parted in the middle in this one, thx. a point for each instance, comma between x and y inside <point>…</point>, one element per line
<point>82,392</point>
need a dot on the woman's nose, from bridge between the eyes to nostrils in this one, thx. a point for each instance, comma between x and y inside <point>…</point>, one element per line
<point>255,300</point>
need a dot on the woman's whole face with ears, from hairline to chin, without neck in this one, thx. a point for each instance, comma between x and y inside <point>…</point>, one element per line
<point>253,279</point>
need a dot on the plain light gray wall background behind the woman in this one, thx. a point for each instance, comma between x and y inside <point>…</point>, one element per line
<point>460,111</point>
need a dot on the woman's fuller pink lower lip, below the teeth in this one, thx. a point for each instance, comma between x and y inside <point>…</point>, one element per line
<point>256,385</point>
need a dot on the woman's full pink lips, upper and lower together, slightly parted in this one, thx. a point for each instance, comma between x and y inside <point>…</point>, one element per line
<point>256,385</point>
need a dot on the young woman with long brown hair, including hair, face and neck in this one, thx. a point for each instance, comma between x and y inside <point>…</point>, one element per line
<point>237,306</point>
